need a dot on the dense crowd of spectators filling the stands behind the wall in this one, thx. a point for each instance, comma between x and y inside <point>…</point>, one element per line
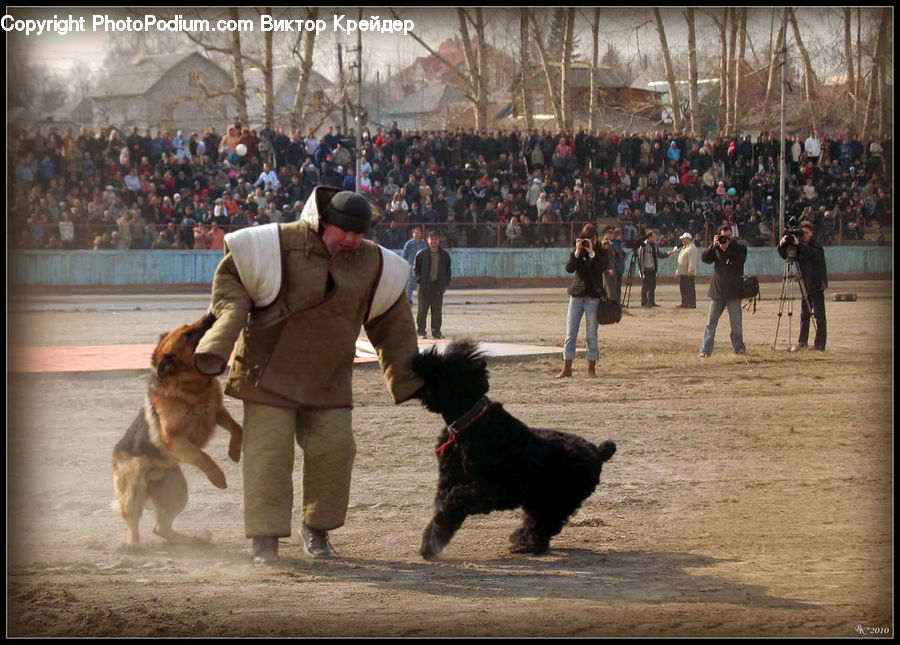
<point>106,190</point>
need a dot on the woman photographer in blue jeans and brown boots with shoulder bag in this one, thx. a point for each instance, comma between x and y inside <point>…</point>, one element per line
<point>588,263</point>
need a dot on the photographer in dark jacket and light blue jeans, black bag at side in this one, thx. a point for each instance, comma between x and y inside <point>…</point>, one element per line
<point>728,258</point>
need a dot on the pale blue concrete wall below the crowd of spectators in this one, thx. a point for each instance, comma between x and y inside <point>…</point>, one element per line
<point>109,268</point>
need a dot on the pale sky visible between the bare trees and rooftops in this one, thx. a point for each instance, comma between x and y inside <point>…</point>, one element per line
<point>435,24</point>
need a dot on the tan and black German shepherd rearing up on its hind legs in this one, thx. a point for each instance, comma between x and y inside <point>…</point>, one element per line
<point>180,412</point>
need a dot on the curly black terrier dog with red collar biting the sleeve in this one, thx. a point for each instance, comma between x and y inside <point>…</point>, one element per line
<point>488,460</point>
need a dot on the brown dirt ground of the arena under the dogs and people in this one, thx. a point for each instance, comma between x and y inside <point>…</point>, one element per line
<point>750,495</point>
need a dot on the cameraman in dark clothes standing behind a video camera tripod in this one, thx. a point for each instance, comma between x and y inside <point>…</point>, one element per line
<point>810,258</point>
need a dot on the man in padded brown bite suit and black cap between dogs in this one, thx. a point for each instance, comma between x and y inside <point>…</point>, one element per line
<point>294,297</point>
